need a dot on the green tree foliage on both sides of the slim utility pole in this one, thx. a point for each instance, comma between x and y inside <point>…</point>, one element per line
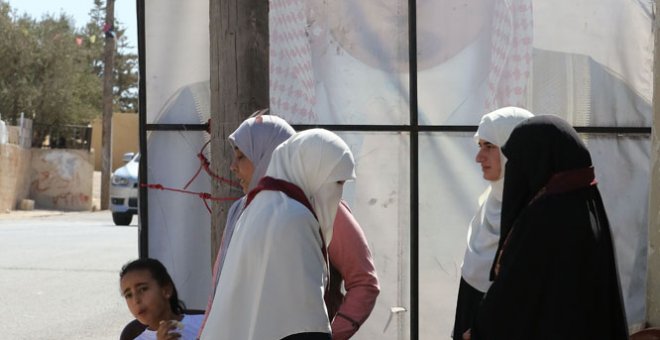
<point>52,71</point>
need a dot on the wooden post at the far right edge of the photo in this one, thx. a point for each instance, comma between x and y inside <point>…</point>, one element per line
<point>653,264</point>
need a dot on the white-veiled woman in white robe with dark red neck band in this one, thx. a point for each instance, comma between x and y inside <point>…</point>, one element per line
<point>275,269</point>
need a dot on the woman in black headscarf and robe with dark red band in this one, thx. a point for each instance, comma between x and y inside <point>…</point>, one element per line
<point>555,272</point>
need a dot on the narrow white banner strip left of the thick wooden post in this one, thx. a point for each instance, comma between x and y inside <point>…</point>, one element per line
<point>177,74</point>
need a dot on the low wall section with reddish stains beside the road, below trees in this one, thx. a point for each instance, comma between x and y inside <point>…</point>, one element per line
<point>62,179</point>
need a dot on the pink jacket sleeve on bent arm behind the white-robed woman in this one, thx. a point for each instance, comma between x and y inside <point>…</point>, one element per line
<point>350,256</point>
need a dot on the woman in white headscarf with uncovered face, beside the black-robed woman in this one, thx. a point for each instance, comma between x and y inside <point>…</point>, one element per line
<point>484,232</point>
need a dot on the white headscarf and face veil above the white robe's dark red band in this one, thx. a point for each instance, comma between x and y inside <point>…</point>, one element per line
<point>315,160</point>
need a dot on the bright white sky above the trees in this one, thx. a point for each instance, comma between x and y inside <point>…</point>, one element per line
<point>125,12</point>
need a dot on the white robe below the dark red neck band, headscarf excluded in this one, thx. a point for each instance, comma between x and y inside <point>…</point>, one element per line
<point>277,274</point>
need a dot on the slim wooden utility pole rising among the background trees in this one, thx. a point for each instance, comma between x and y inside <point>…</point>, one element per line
<point>106,137</point>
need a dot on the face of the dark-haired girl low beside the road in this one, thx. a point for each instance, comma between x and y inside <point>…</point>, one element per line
<point>146,300</point>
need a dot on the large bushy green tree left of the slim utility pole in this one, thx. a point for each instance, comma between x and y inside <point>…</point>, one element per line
<point>43,74</point>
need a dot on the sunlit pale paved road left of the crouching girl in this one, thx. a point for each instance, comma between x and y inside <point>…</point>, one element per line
<point>59,275</point>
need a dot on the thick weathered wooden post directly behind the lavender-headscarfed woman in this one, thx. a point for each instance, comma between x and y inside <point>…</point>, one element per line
<point>239,86</point>
